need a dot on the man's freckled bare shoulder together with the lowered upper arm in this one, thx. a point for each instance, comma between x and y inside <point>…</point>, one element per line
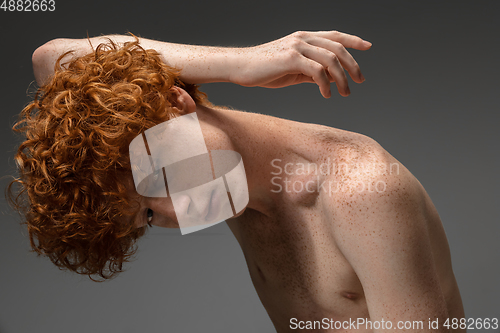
<point>383,224</point>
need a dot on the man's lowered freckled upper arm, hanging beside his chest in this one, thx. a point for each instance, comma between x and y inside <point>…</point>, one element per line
<point>381,227</point>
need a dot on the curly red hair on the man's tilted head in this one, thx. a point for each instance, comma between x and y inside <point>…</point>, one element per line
<point>75,155</point>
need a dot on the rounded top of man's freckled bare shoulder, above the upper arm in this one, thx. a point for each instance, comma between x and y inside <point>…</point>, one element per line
<point>362,172</point>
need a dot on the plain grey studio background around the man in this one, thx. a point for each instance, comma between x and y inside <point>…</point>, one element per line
<point>430,98</point>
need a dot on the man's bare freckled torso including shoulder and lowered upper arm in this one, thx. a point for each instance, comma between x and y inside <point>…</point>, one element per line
<point>314,254</point>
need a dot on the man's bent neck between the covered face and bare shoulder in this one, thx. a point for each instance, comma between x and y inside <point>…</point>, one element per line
<point>259,139</point>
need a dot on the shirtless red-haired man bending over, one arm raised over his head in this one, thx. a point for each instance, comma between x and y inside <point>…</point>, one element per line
<point>335,229</point>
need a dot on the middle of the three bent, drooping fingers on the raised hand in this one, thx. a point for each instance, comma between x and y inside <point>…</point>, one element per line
<point>331,63</point>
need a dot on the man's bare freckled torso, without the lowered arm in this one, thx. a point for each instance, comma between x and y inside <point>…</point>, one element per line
<point>293,259</point>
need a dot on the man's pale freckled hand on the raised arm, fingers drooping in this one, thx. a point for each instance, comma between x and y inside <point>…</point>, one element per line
<point>318,57</point>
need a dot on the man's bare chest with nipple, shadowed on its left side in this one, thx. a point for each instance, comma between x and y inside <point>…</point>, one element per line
<point>293,259</point>
